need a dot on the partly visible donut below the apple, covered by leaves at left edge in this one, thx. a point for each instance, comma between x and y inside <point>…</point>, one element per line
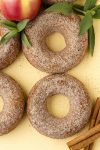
<point>9,51</point>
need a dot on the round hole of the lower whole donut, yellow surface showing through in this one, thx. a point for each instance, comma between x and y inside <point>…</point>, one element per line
<point>58,105</point>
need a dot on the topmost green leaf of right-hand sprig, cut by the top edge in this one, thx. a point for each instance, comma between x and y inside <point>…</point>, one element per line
<point>89,4</point>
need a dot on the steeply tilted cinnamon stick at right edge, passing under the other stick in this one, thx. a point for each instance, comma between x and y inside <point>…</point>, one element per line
<point>94,120</point>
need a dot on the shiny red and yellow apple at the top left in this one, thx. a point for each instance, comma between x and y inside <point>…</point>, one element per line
<point>17,10</point>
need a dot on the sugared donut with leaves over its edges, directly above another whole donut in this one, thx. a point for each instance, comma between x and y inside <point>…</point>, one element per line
<point>46,60</point>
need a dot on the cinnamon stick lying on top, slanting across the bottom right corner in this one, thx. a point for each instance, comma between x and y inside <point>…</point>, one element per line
<point>85,139</point>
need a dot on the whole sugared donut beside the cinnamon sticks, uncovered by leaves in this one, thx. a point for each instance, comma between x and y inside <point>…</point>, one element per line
<point>79,100</point>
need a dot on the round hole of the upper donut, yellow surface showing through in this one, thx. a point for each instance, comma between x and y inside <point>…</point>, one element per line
<point>55,42</point>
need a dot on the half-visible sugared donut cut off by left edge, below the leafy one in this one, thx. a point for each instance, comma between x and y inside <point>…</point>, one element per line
<point>13,107</point>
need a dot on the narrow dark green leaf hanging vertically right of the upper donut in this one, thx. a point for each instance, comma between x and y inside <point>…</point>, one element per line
<point>91,40</point>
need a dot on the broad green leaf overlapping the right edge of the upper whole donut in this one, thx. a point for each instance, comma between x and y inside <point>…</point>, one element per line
<point>86,23</point>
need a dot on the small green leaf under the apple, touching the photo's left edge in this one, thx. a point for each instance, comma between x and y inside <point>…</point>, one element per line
<point>8,24</point>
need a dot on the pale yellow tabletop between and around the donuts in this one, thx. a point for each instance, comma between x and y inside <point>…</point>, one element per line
<point>24,137</point>
